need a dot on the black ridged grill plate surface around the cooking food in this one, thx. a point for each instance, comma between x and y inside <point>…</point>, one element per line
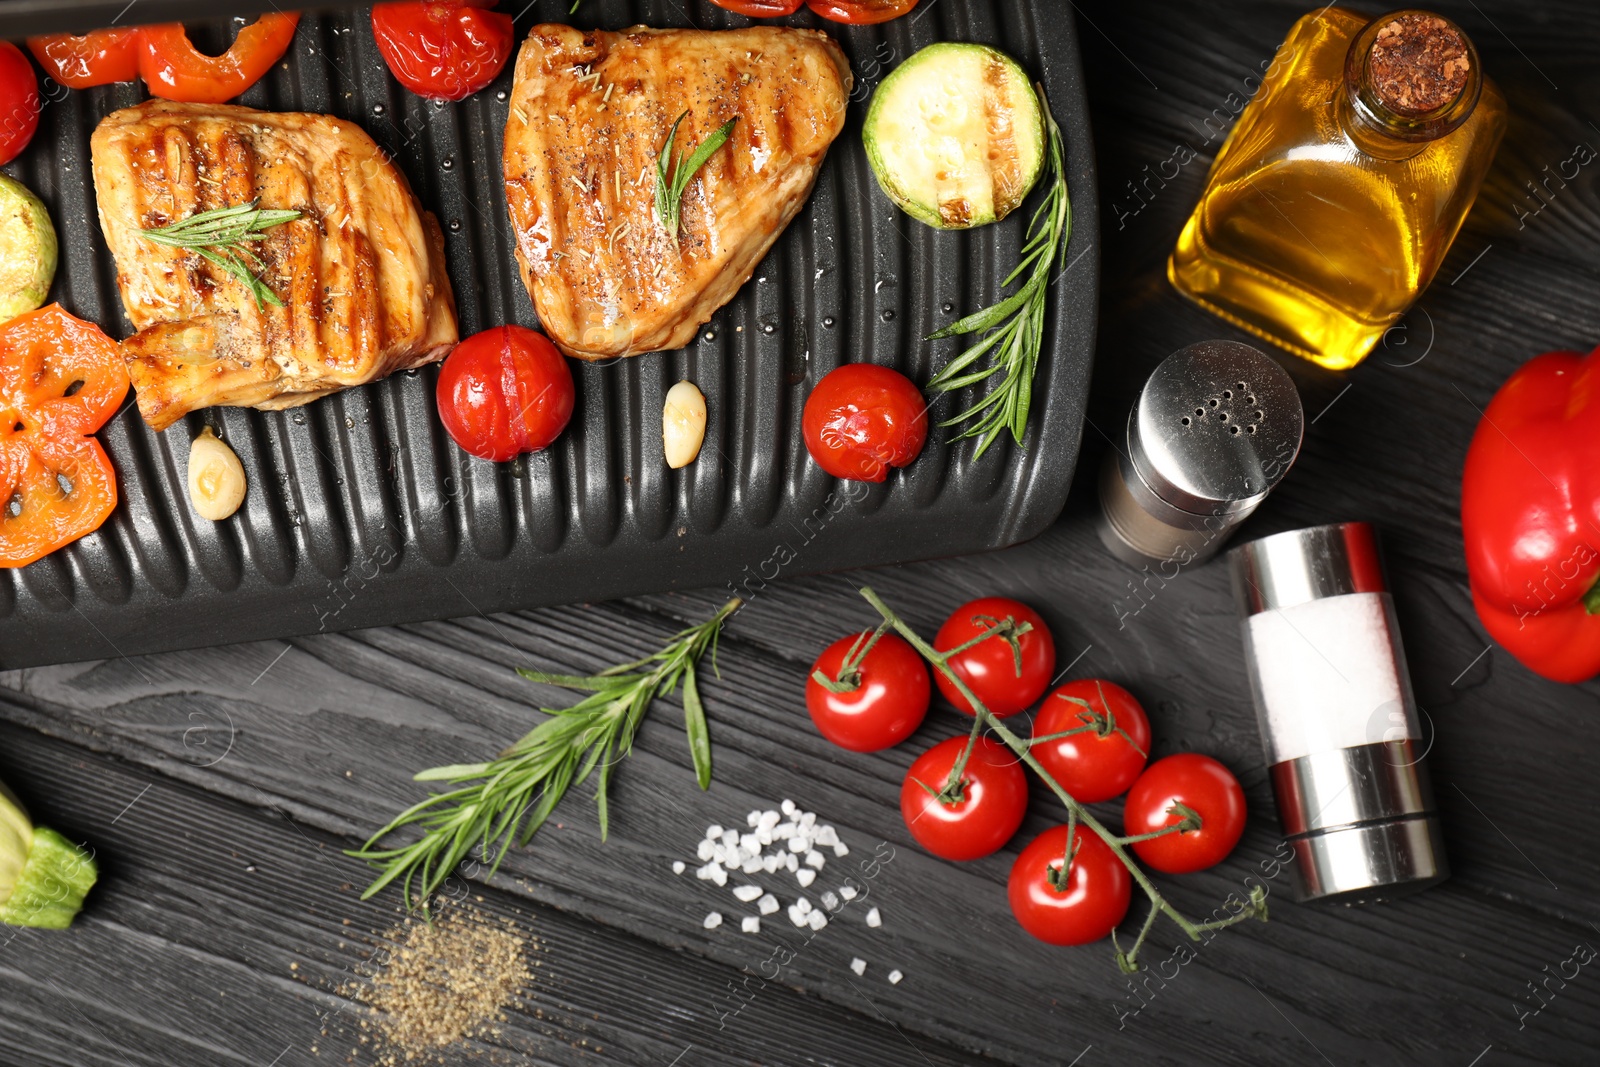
<point>361,510</point>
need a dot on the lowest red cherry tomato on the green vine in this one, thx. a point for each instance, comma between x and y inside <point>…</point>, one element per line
<point>1076,909</point>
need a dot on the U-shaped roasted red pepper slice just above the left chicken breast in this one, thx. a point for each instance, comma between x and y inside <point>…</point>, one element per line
<point>175,70</point>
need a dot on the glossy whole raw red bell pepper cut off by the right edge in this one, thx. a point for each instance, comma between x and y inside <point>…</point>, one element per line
<point>1530,516</point>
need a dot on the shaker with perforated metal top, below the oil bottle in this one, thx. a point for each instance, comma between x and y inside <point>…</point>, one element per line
<point>1217,426</point>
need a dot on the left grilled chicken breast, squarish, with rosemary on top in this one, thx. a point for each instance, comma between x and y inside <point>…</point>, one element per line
<point>361,273</point>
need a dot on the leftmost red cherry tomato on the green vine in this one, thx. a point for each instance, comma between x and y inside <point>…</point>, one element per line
<point>889,700</point>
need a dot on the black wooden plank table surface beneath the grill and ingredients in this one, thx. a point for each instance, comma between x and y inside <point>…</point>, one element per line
<point>220,788</point>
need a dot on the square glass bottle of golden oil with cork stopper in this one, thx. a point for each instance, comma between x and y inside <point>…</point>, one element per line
<point>1343,183</point>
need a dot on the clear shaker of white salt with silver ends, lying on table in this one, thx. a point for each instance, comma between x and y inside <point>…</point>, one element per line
<point>1337,714</point>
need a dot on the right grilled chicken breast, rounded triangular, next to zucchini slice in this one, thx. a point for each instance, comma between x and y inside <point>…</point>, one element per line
<point>591,111</point>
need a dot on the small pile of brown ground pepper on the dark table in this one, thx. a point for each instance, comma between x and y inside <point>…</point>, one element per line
<point>441,985</point>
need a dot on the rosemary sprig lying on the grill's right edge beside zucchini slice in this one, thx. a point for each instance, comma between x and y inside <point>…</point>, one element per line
<point>1017,322</point>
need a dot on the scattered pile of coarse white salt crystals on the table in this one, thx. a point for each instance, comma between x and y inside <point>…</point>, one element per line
<point>796,842</point>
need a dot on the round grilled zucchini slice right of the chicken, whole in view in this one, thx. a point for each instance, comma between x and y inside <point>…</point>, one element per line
<point>956,135</point>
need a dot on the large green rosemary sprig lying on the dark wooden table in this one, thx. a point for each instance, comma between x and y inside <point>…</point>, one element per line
<point>505,802</point>
